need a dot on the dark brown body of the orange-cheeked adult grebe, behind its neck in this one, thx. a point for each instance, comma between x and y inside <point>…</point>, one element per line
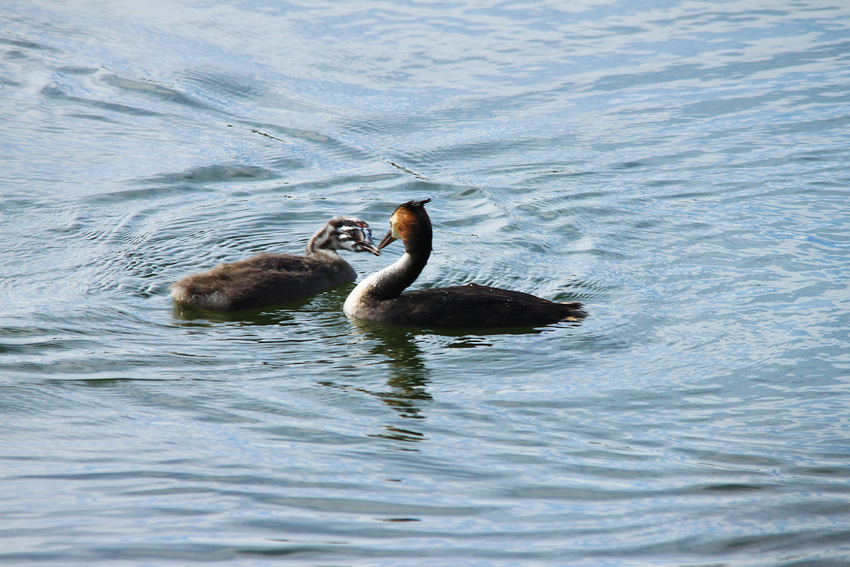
<point>474,306</point>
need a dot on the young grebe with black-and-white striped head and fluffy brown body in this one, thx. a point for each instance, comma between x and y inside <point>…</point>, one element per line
<point>268,279</point>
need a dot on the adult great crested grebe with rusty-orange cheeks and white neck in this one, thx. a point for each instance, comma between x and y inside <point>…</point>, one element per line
<point>379,297</point>
